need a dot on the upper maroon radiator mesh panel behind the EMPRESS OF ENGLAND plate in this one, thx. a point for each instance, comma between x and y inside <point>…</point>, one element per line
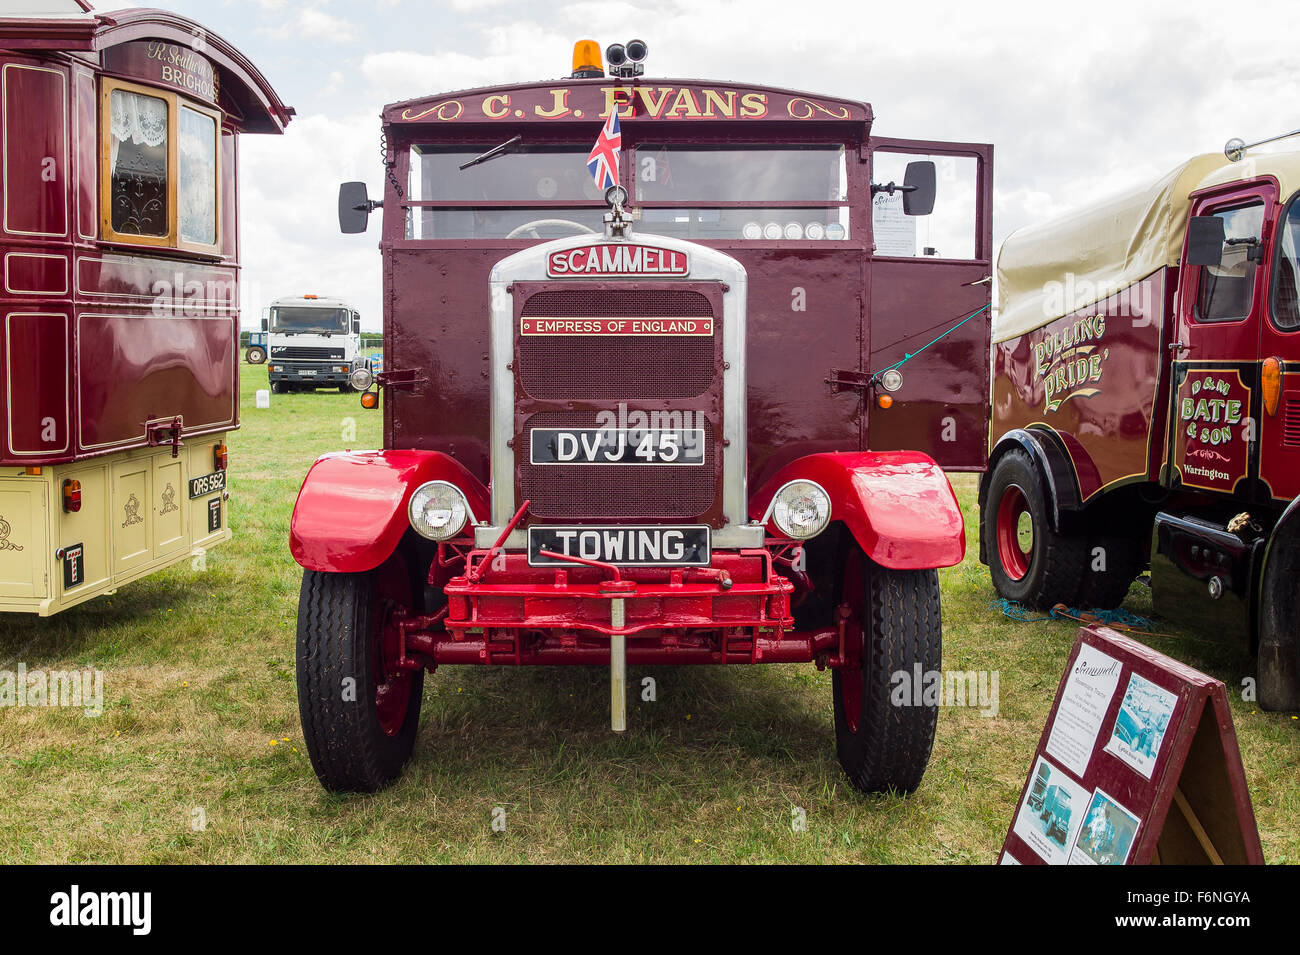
<point>613,367</point>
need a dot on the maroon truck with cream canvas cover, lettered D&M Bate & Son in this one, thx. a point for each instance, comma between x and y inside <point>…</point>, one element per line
<point>1147,407</point>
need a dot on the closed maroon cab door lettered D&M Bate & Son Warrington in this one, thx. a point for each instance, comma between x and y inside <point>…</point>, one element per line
<point>1215,415</point>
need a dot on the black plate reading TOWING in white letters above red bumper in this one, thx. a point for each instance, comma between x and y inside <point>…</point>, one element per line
<point>653,545</point>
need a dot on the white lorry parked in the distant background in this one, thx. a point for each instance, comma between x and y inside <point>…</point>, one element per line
<point>314,341</point>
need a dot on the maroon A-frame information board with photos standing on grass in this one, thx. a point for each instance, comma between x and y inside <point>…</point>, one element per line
<point>1138,765</point>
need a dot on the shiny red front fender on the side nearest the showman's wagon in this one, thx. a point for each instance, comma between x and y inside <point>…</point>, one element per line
<point>352,511</point>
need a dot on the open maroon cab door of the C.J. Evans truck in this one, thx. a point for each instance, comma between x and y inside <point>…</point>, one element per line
<point>926,276</point>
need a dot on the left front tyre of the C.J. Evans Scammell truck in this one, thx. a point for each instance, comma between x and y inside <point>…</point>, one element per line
<point>359,722</point>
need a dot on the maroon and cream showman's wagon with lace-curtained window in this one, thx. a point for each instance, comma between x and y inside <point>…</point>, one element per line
<point>119,236</point>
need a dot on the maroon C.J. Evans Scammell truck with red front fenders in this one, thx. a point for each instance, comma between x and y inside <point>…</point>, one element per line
<point>677,424</point>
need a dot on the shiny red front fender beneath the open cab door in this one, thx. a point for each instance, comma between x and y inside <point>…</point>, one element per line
<point>898,505</point>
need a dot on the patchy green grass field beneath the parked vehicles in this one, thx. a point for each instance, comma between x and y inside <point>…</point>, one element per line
<point>198,757</point>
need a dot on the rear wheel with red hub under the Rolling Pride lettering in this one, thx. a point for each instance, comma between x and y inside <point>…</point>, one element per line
<point>1030,563</point>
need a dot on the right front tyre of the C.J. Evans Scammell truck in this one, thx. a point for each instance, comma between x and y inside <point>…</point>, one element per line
<point>892,626</point>
